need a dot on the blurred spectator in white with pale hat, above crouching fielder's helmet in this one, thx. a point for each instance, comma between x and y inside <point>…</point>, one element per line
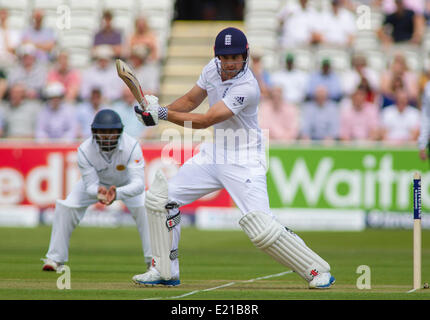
<point>102,75</point>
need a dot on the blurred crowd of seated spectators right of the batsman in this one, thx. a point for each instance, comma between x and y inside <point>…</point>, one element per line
<point>357,104</point>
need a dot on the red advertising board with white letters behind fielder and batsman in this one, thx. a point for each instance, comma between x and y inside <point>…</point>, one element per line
<point>40,174</point>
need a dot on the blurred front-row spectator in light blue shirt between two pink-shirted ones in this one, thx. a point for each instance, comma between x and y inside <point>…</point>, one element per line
<point>320,118</point>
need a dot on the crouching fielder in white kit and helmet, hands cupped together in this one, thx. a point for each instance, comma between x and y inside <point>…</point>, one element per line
<point>112,168</point>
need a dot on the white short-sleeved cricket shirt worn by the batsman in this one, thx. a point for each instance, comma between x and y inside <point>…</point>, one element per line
<point>239,137</point>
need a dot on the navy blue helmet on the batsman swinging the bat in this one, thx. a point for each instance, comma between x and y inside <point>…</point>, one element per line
<point>230,41</point>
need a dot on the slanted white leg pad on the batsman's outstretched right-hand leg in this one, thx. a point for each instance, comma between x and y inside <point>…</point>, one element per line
<point>283,245</point>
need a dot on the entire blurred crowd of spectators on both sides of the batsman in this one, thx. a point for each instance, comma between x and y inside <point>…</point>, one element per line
<point>43,97</point>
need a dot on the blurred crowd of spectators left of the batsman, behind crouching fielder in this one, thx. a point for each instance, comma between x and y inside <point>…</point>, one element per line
<point>42,96</point>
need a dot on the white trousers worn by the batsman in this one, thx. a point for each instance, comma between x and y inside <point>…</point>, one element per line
<point>246,185</point>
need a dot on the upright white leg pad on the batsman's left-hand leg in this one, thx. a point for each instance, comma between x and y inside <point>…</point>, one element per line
<point>161,225</point>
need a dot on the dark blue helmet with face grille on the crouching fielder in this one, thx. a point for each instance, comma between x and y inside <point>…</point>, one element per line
<point>104,123</point>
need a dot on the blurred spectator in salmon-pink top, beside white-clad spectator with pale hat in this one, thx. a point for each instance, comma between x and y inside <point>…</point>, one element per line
<point>69,78</point>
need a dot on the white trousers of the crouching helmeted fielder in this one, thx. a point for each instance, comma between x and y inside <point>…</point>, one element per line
<point>69,212</point>
